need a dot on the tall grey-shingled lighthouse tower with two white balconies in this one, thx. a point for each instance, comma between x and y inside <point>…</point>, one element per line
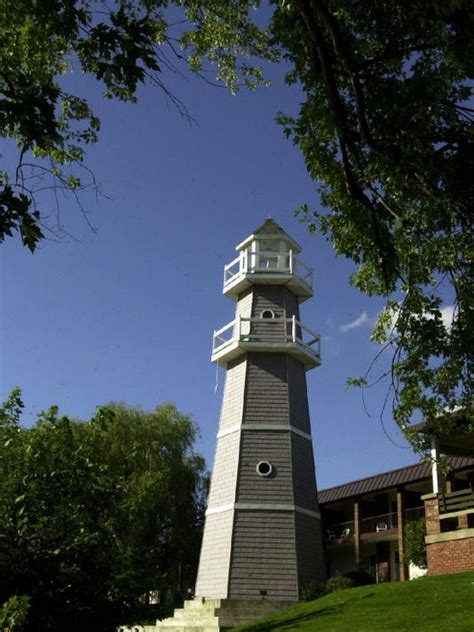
<point>262,535</point>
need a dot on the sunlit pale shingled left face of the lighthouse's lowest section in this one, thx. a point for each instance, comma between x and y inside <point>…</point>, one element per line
<point>214,563</point>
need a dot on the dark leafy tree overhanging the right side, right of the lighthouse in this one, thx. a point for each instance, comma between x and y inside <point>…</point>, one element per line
<point>386,131</point>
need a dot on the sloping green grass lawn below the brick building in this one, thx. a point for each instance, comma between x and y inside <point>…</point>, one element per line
<point>437,604</point>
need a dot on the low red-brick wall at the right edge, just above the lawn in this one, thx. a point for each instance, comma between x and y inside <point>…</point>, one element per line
<point>453,556</point>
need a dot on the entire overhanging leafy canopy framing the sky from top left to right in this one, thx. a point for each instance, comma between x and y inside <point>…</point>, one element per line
<point>385,127</point>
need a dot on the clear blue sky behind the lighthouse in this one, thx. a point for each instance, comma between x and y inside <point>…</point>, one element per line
<point>126,313</point>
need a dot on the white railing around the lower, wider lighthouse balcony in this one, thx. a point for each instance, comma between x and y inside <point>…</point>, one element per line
<point>259,330</point>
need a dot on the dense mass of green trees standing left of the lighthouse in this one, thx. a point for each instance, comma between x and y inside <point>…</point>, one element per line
<point>96,515</point>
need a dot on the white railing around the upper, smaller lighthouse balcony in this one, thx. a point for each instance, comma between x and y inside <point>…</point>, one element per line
<point>267,262</point>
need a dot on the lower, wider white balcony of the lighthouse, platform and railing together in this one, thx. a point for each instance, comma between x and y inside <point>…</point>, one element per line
<point>279,335</point>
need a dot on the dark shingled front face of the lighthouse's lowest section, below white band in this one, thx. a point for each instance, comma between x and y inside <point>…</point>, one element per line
<point>254,565</point>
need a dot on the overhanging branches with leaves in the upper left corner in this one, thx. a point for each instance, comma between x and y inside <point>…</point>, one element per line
<point>121,43</point>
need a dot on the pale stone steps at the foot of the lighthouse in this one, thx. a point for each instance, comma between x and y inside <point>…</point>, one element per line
<point>211,615</point>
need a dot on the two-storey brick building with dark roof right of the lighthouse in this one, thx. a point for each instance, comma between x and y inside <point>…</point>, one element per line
<point>364,521</point>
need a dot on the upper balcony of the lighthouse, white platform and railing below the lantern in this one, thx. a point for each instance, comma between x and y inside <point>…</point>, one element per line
<point>271,268</point>
